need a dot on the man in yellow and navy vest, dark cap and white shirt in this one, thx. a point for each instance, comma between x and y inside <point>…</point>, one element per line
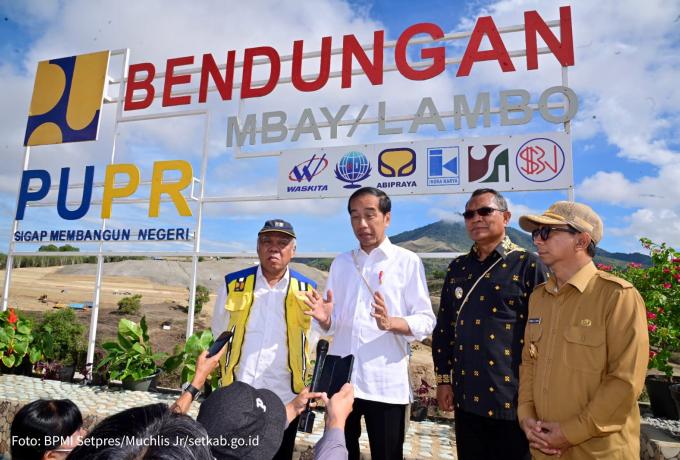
<point>264,307</point>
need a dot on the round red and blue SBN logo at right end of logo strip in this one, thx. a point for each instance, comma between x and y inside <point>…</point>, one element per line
<point>540,160</point>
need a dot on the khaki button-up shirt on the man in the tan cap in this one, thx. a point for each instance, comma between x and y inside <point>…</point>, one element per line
<point>584,362</point>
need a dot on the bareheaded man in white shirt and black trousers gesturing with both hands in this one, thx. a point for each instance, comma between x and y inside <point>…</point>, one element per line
<point>377,302</point>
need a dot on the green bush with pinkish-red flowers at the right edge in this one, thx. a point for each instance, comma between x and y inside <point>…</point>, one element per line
<point>659,286</point>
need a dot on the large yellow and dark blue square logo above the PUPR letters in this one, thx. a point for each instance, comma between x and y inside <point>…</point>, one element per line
<point>67,99</point>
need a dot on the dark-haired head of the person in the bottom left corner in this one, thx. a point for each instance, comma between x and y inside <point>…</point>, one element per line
<point>37,427</point>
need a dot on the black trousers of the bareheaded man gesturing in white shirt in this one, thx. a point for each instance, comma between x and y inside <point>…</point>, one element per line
<point>385,427</point>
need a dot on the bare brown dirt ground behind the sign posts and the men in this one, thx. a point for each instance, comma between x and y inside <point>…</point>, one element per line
<point>162,301</point>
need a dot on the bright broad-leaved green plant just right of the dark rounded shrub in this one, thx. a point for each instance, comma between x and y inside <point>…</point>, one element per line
<point>131,357</point>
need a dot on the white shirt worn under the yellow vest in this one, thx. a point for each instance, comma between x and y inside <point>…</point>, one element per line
<point>264,355</point>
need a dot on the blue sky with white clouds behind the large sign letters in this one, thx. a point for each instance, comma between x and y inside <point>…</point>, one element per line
<point>624,136</point>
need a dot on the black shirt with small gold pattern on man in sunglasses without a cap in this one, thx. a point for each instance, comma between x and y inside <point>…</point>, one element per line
<point>478,348</point>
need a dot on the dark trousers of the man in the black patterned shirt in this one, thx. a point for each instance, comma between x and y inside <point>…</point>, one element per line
<point>483,438</point>
